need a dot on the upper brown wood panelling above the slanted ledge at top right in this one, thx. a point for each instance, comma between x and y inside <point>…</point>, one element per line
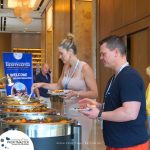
<point>117,14</point>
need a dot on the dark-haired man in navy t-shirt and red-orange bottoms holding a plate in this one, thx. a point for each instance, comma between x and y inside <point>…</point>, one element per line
<point>124,109</point>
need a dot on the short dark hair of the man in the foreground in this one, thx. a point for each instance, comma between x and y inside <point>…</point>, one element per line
<point>113,42</point>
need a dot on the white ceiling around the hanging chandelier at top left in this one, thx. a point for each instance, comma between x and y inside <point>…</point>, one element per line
<point>10,24</point>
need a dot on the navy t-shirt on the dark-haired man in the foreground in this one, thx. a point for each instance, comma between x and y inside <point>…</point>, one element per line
<point>127,86</point>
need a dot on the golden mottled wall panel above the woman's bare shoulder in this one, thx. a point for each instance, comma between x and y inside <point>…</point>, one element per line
<point>82,30</point>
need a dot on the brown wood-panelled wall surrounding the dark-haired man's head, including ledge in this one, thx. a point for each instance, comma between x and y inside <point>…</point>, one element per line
<point>125,18</point>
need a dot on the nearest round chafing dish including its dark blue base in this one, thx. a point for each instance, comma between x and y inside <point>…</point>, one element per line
<point>62,133</point>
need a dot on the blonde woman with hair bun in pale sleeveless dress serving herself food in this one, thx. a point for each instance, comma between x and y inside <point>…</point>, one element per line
<point>78,77</point>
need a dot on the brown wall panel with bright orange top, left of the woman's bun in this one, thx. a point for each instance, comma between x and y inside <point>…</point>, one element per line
<point>61,23</point>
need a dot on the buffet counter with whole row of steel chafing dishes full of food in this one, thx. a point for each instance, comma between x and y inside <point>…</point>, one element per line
<point>46,129</point>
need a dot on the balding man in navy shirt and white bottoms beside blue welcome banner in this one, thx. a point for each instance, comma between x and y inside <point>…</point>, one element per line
<point>42,93</point>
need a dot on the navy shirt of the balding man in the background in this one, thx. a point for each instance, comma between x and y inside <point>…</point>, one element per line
<point>41,78</point>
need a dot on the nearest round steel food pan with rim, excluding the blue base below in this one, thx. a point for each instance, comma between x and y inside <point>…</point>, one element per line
<point>38,128</point>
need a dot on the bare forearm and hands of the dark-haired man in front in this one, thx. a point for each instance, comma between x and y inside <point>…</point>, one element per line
<point>129,111</point>
